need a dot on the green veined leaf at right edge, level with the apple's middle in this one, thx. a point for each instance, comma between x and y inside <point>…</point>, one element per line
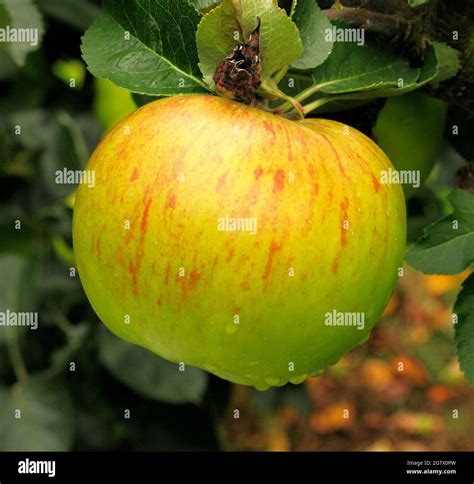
<point>448,245</point>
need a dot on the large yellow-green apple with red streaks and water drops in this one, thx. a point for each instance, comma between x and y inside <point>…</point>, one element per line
<point>176,166</point>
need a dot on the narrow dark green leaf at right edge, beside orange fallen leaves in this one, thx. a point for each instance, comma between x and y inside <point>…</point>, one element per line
<point>464,329</point>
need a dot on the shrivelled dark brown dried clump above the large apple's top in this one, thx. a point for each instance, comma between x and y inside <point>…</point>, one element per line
<point>239,75</point>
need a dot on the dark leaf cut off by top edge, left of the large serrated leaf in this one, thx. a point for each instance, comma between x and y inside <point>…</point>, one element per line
<point>79,14</point>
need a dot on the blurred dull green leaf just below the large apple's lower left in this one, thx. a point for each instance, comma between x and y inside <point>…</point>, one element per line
<point>150,375</point>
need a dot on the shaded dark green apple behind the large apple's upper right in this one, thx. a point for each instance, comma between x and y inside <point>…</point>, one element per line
<point>409,130</point>
